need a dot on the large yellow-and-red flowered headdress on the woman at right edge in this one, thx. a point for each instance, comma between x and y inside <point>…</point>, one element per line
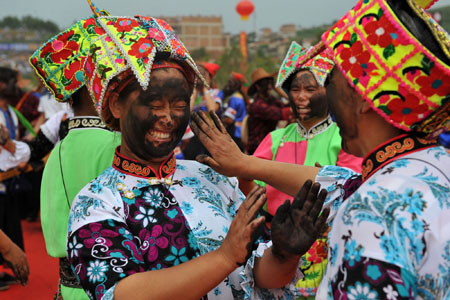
<point>403,80</point>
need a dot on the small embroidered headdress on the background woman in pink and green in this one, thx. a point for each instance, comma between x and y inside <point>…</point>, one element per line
<point>298,58</point>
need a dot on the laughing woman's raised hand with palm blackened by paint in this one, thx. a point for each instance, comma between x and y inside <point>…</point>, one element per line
<point>296,226</point>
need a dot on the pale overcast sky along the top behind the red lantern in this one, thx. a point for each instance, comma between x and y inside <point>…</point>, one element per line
<point>268,13</point>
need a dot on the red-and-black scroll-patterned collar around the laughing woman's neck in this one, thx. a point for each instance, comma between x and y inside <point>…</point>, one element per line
<point>132,167</point>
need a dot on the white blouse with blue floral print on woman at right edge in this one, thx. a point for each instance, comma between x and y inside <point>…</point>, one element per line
<point>399,217</point>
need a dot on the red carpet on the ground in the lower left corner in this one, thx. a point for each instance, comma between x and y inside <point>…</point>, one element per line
<point>43,280</point>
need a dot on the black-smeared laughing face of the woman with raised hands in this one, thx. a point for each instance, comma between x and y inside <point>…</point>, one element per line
<point>157,118</point>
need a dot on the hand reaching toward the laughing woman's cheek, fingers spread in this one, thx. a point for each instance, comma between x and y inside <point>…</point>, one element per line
<point>226,157</point>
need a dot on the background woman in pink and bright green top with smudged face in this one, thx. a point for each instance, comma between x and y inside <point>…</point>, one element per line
<point>314,138</point>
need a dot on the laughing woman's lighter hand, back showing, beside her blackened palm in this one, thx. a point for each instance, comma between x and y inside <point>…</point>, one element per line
<point>237,246</point>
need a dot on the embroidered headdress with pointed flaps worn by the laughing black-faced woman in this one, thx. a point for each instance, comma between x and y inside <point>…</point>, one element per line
<point>132,46</point>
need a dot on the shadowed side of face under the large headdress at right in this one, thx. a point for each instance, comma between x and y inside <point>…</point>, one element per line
<point>340,99</point>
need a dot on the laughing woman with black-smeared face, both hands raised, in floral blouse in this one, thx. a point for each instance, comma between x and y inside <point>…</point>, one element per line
<point>151,227</point>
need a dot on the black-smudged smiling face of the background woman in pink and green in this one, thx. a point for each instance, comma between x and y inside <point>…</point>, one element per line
<point>307,98</point>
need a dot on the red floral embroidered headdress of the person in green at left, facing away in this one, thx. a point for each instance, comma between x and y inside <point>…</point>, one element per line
<point>59,62</point>
